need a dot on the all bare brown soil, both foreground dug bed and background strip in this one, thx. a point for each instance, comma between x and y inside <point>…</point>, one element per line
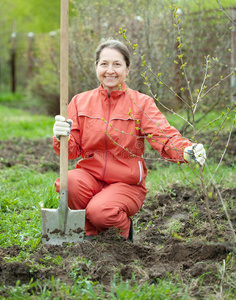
<point>172,235</point>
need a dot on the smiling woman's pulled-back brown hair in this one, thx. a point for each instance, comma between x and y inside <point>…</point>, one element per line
<point>113,44</point>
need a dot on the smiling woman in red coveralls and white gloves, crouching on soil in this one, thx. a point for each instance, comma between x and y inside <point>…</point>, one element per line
<point>109,125</point>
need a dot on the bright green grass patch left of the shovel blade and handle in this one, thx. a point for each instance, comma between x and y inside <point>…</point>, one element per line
<point>23,191</point>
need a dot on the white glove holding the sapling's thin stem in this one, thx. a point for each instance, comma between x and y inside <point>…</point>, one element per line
<point>195,153</point>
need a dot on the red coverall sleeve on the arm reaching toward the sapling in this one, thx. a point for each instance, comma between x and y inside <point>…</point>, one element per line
<point>161,136</point>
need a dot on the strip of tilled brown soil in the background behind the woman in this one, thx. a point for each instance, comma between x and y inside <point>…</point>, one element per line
<point>41,155</point>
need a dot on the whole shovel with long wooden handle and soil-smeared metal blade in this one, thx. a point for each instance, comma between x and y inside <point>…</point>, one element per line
<point>63,225</point>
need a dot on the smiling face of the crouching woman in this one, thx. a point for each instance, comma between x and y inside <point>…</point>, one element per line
<point>111,69</point>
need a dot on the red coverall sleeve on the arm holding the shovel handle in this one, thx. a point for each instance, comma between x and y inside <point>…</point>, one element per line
<point>74,149</point>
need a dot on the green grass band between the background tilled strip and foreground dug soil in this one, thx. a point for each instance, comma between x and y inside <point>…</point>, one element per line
<point>23,191</point>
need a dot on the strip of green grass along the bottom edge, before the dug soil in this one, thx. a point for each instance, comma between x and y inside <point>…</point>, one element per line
<point>84,289</point>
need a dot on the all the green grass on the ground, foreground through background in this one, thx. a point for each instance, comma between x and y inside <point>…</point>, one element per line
<point>23,191</point>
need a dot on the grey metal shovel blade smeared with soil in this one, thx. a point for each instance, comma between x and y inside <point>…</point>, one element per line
<point>52,233</point>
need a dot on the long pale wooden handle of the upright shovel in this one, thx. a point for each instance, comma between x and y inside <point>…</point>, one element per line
<point>64,70</point>
